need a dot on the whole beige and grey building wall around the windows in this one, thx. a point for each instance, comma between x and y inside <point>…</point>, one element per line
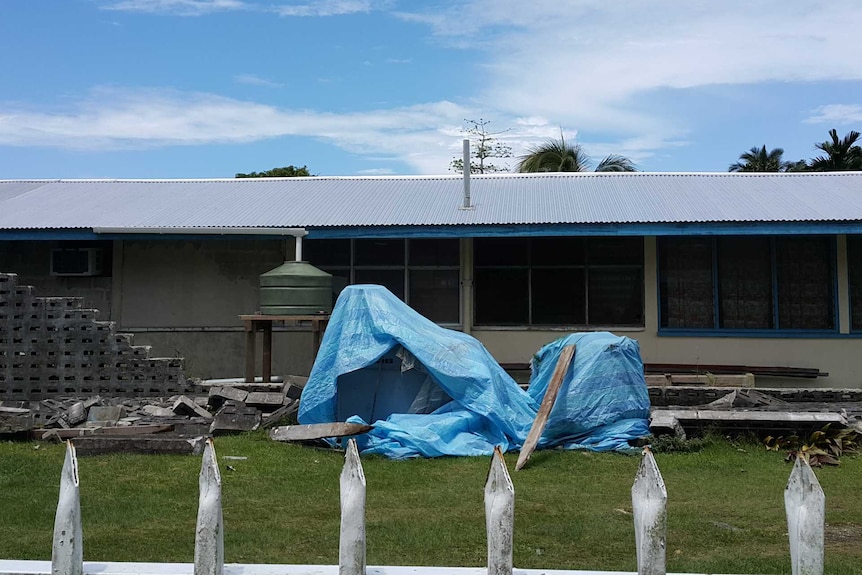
<point>184,299</point>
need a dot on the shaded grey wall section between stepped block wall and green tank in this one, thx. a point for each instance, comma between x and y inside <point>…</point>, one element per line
<point>184,298</point>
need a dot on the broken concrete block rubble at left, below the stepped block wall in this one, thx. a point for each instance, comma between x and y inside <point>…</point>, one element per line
<point>175,424</point>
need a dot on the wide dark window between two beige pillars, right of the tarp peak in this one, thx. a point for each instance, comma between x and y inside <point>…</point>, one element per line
<point>559,281</point>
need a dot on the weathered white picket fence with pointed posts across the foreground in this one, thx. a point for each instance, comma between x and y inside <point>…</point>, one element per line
<point>804,503</point>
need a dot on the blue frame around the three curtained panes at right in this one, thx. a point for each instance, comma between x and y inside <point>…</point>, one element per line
<point>777,331</point>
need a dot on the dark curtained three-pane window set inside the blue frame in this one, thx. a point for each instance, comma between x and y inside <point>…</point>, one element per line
<point>747,283</point>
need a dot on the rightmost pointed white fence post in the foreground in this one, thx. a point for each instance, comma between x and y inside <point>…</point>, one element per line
<point>805,504</point>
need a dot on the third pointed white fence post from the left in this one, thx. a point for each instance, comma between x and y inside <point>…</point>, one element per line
<point>351,547</point>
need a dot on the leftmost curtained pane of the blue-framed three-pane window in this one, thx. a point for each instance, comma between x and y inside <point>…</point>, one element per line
<point>685,271</point>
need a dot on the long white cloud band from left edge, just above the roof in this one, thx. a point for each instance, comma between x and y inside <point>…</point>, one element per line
<point>112,119</point>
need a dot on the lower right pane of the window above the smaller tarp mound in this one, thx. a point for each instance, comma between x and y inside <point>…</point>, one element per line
<point>616,296</point>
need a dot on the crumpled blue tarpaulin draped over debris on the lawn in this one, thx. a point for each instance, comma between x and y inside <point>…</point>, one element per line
<point>431,391</point>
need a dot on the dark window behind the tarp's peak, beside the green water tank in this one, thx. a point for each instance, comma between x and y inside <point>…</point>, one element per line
<point>422,272</point>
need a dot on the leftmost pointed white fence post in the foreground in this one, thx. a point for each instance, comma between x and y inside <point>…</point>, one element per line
<point>67,554</point>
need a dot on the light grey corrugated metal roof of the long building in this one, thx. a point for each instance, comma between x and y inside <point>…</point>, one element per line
<point>500,199</point>
